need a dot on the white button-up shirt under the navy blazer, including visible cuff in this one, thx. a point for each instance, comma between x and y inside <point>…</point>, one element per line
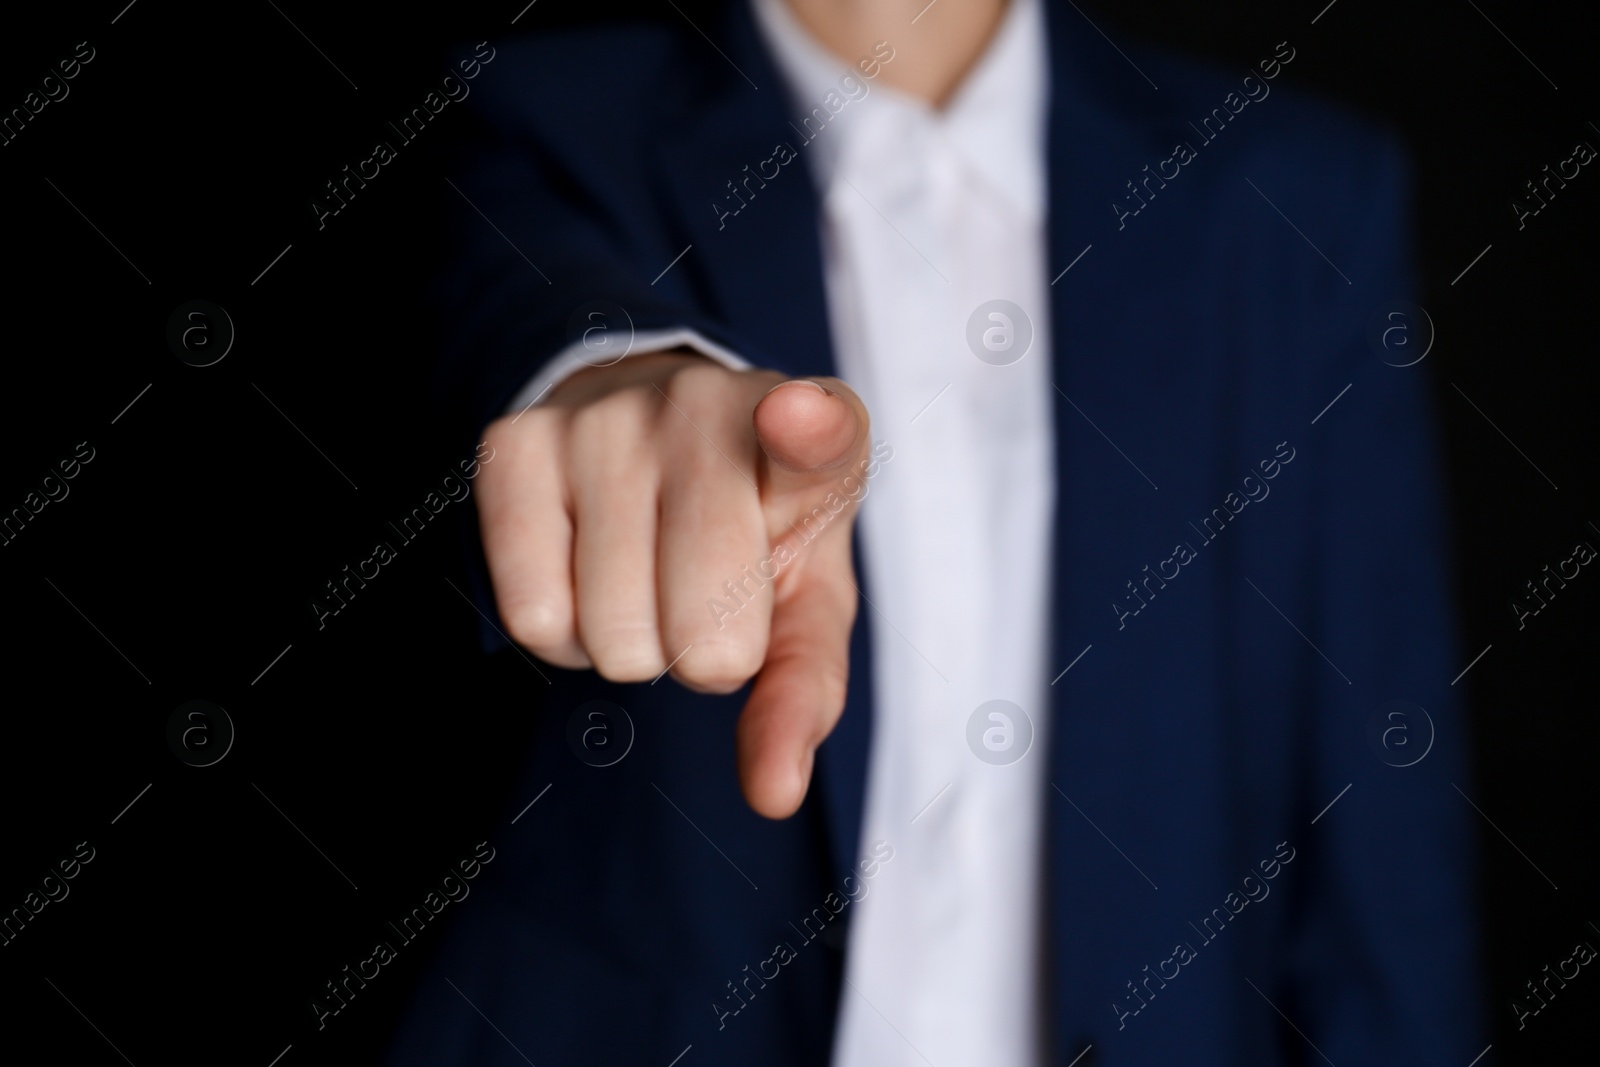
<point>927,215</point>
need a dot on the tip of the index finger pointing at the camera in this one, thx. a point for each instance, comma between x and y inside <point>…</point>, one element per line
<point>809,431</point>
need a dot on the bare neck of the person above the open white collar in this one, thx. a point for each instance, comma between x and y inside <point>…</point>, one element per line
<point>934,55</point>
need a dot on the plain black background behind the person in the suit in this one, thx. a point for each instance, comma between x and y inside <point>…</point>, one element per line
<point>185,559</point>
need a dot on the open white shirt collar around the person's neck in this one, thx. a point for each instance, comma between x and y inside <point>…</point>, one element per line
<point>996,119</point>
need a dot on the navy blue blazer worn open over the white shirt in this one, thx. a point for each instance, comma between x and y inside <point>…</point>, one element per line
<point>1257,578</point>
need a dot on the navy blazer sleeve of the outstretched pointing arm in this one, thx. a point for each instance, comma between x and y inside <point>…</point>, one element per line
<point>553,233</point>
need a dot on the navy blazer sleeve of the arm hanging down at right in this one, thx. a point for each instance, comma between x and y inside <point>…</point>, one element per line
<point>1385,959</point>
